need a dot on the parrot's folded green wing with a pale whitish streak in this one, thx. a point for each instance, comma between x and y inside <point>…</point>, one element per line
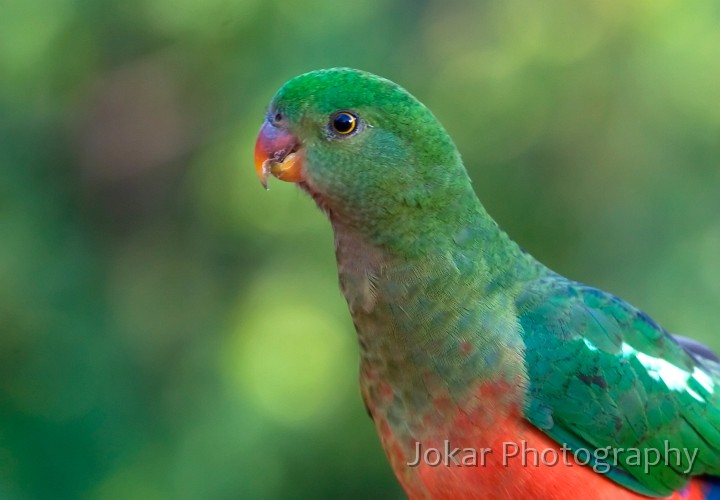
<point>603,374</point>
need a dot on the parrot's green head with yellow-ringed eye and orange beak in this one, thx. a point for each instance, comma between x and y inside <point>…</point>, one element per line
<point>369,153</point>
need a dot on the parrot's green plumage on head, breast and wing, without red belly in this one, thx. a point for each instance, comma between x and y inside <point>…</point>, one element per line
<point>444,302</point>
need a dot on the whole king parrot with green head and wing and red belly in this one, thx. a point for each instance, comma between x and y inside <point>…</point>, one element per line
<point>487,374</point>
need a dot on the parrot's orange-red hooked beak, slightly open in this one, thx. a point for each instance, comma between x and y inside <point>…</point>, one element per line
<point>277,152</point>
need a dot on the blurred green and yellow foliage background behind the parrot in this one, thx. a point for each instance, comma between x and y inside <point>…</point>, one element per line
<point>168,329</point>
